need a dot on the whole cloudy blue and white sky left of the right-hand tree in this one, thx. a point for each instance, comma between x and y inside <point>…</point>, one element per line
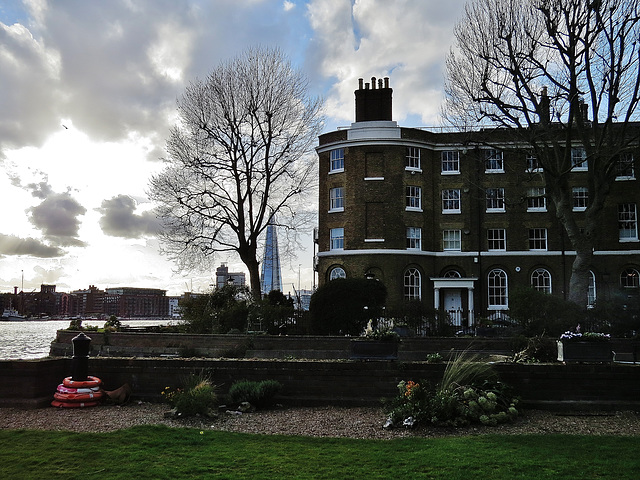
<point>88,92</point>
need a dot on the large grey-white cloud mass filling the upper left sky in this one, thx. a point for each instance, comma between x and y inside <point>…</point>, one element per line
<point>116,70</point>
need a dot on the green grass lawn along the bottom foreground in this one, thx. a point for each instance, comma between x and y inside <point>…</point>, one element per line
<point>157,452</point>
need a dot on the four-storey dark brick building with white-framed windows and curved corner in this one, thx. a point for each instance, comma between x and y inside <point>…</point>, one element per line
<point>457,219</point>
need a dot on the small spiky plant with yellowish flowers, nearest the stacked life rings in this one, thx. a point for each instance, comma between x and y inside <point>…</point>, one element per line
<point>197,397</point>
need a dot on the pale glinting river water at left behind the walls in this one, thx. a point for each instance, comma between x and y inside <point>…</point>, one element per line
<point>32,339</point>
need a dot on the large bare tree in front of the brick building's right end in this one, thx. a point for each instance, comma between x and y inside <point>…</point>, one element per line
<point>558,74</point>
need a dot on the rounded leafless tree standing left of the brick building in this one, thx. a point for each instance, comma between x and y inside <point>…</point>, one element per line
<point>240,155</point>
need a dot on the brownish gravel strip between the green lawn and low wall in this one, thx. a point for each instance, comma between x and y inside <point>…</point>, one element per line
<point>316,422</point>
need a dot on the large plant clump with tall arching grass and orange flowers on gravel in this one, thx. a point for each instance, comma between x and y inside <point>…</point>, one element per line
<point>468,393</point>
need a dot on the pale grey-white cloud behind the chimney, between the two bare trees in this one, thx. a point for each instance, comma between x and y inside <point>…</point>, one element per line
<point>406,40</point>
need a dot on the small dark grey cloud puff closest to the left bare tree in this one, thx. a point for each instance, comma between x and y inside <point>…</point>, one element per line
<point>120,220</point>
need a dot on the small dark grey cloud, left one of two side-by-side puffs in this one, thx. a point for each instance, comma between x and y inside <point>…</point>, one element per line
<point>57,217</point>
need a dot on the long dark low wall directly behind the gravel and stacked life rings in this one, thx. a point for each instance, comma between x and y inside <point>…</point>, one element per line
<point>31,383</point>
